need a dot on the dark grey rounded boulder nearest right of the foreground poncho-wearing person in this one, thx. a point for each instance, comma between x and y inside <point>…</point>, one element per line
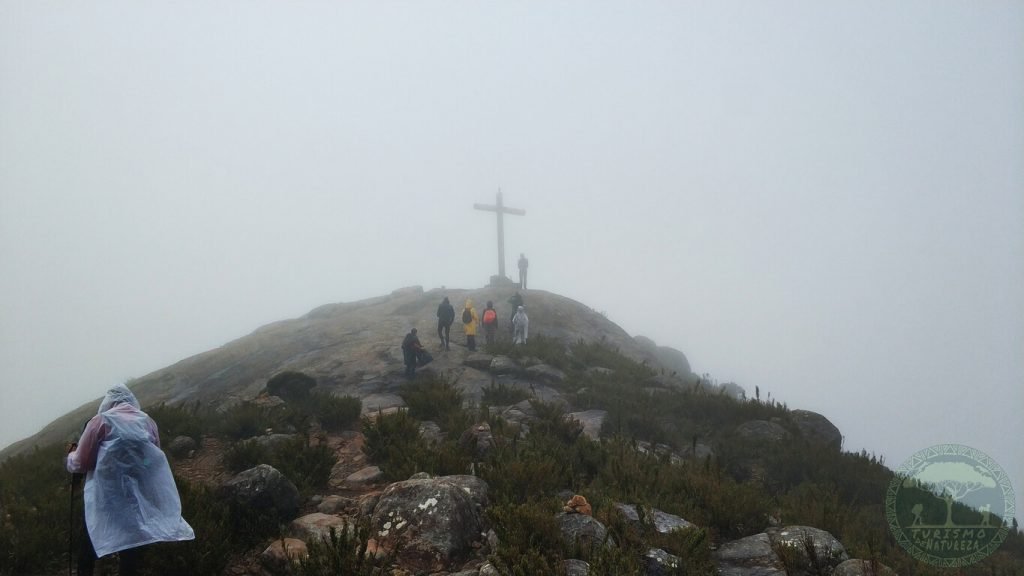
<point>265,489</point>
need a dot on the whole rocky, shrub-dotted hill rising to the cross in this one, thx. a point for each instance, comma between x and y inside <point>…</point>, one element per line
<point>306,448</point>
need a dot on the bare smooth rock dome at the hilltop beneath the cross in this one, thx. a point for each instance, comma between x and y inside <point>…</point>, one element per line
<point>354,349</point>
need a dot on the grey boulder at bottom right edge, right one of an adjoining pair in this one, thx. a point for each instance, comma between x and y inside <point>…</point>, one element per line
<point>805,550</point>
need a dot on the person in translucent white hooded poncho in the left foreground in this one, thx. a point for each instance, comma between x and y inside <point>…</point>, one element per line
<point>131,497</point>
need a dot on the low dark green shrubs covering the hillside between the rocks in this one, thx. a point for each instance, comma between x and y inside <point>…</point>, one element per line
<point>730,495</point>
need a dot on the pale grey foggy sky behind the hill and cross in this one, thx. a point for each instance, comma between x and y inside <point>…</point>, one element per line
<point>825,200</point>
